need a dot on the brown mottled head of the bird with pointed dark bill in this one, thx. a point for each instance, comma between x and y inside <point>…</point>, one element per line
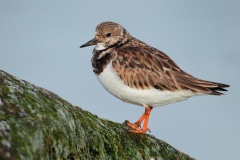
<point>107,35</point>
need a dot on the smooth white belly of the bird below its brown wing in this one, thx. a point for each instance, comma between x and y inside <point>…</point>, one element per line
<point>151,97</point>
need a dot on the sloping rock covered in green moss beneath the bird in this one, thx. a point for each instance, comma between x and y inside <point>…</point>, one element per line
<point>38,124</point>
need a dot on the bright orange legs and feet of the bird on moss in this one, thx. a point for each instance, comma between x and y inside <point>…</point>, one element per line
<point>135,126</point>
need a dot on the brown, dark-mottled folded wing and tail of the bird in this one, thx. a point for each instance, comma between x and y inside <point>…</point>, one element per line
<point>143,68</point>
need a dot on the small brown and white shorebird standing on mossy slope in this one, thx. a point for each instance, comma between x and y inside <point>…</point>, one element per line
<point>140,74</point>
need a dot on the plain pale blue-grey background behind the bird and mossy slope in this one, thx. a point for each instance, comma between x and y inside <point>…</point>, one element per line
<point>39,42</point>
